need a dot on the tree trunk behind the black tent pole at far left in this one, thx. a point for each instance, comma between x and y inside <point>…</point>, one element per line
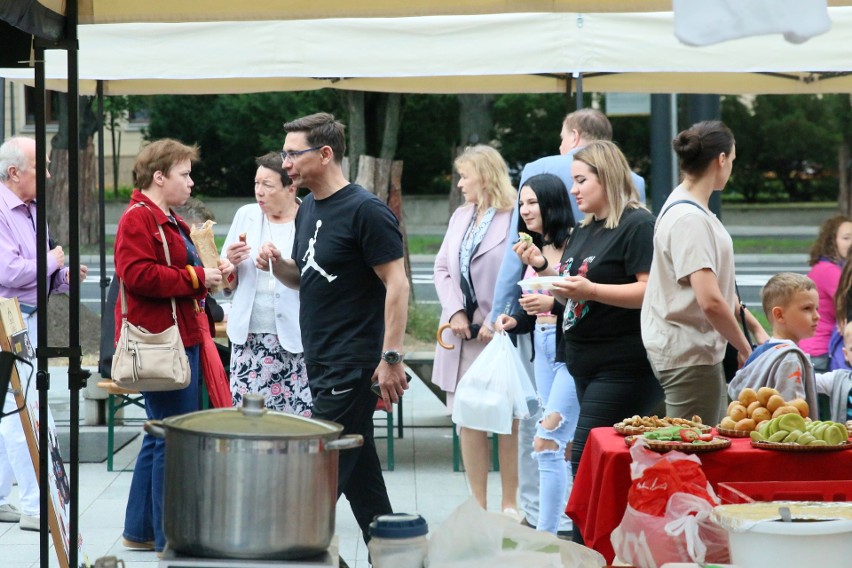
<point>58,184</point>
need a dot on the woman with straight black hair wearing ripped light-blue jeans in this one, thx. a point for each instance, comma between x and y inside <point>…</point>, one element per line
<point>545,214</point>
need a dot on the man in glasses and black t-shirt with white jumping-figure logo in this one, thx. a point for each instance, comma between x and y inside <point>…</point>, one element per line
<point>347,263</point>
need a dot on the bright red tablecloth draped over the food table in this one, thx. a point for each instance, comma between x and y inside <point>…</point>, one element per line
<point>599,496</point>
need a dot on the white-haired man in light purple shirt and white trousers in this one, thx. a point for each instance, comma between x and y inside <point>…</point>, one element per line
<point>18,280</point>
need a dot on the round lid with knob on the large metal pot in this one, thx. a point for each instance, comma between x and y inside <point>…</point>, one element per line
<point>252,420</point>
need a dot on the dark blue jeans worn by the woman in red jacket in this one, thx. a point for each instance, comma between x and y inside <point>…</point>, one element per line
<point>143,520</point>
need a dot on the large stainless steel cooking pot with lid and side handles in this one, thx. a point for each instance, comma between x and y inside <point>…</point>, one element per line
<point>250,483</point>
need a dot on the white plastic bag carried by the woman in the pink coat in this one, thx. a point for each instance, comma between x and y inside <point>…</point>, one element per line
<point>491,393</point>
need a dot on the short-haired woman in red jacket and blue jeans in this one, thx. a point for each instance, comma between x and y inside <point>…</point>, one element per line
<point>162,173</point>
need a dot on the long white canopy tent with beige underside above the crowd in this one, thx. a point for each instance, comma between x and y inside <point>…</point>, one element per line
<point>493,53</point>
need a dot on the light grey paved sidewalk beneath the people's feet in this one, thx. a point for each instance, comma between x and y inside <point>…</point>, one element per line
<point>423,482</point>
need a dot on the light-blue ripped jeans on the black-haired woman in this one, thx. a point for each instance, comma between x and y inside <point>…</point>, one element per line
<point>559,395</point>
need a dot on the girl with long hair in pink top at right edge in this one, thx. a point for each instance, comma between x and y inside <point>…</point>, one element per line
<point>828,256</point>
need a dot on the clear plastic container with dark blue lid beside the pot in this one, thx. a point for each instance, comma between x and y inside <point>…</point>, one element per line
<point>398,541</point>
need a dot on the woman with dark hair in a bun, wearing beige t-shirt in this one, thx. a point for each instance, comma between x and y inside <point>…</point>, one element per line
<point>691,305</point>
